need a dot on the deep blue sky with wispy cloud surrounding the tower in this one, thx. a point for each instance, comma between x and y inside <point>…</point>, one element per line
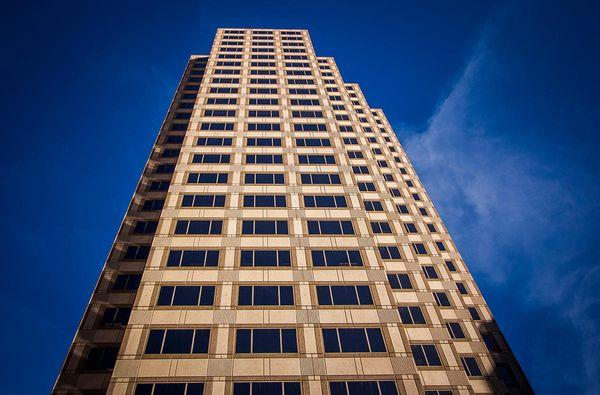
<point>496,103</point>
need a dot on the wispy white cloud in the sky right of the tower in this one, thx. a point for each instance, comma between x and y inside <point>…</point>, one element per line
<point>523,217</point>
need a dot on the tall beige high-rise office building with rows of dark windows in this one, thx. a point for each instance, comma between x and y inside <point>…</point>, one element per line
<point>280,242</point>
